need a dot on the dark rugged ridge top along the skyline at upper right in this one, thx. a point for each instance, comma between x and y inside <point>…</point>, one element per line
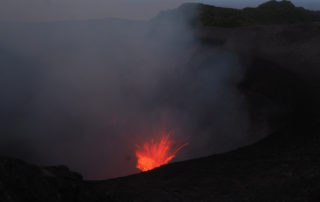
<point>271,12</point>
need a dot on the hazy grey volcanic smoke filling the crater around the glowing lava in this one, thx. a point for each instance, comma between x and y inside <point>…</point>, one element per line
<point>86,93</point>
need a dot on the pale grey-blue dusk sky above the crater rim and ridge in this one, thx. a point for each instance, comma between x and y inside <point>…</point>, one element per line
<point>44,10</point>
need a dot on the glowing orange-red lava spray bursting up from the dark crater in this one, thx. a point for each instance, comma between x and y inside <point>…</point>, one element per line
<point>155,154</point>
